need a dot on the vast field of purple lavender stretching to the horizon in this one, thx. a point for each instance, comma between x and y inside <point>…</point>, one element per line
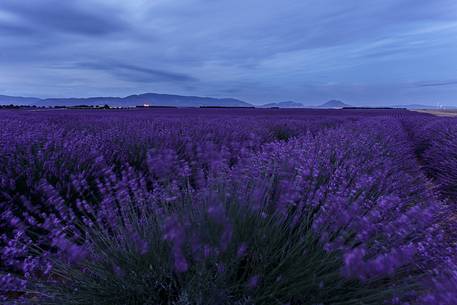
<point>227,206</point>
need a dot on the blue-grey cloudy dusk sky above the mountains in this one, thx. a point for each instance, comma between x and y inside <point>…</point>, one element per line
<point>376,52</point>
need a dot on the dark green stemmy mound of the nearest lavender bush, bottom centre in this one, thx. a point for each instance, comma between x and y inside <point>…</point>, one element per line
<point>205,253</point>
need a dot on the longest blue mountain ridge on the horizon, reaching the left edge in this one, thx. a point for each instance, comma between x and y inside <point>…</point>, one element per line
<point>152,99</point>
